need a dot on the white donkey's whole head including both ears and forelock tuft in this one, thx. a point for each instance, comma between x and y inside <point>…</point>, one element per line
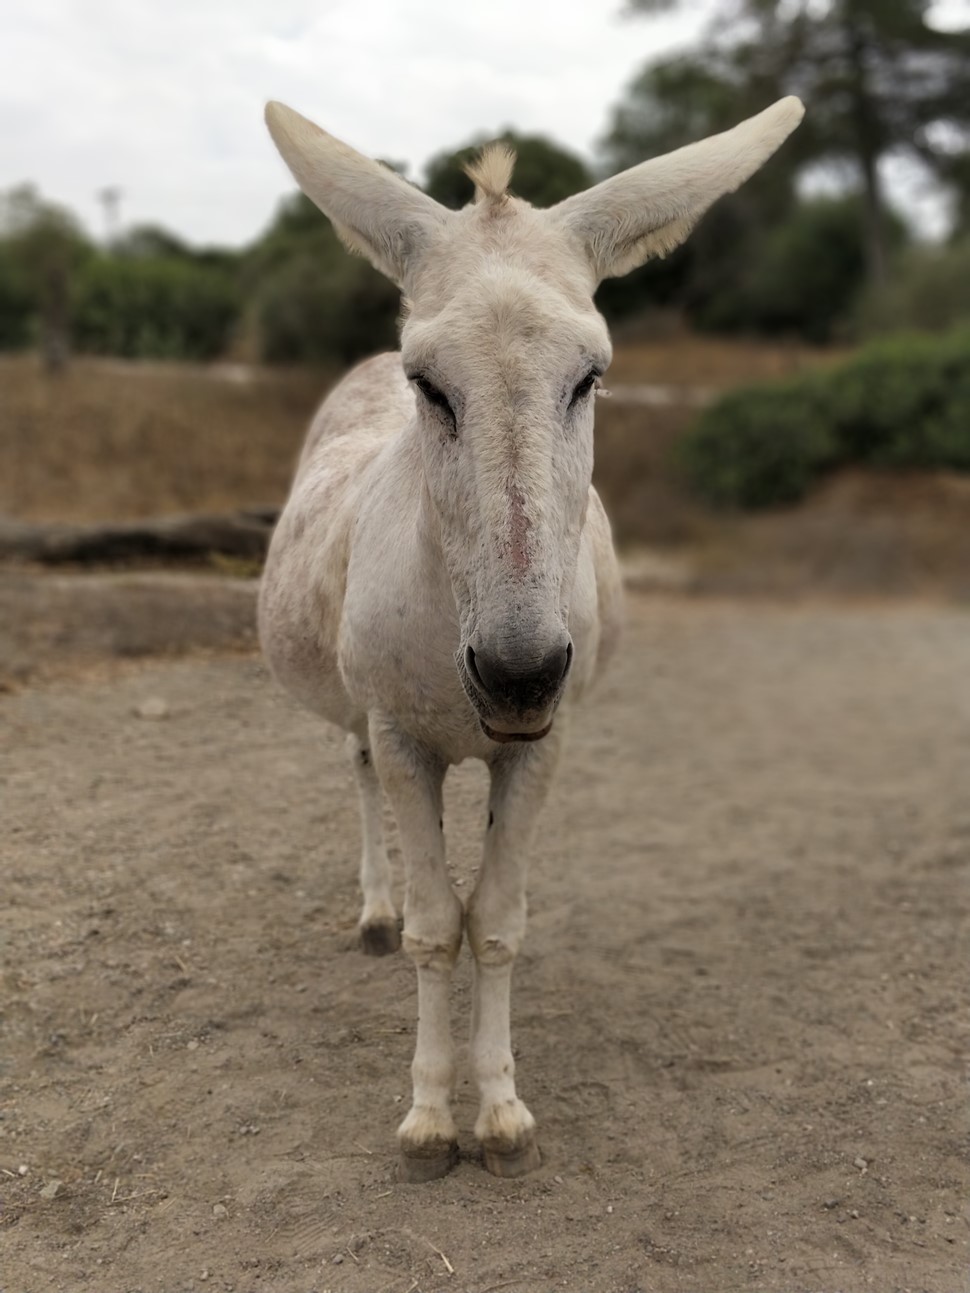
<point>505,350</point>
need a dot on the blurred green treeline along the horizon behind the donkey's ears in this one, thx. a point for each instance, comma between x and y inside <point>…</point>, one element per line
<point>810,249</point>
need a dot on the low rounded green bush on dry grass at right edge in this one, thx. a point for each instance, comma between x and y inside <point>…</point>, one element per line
<point>901,404</point>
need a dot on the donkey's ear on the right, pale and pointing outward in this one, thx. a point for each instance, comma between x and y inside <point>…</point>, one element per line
<point>651,209</point>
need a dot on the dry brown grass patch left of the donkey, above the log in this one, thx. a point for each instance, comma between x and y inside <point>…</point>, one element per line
<point>113,442</point>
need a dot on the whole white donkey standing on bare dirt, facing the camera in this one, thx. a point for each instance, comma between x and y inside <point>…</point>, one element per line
<point>443,576</point>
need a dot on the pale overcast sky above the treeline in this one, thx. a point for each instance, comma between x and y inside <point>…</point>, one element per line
<point>165,98</point>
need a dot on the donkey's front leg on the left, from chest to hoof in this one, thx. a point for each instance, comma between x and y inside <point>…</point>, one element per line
<point>413,776</point>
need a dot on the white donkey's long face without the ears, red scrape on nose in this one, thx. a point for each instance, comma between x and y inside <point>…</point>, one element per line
<point>505,351</point>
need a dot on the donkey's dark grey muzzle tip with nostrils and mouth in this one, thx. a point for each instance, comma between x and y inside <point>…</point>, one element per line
<point>515,695</point>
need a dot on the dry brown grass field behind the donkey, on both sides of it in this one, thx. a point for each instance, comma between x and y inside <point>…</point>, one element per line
<point>112,442</point>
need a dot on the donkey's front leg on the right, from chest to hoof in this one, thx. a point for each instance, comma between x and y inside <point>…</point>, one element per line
<point>496,923</point>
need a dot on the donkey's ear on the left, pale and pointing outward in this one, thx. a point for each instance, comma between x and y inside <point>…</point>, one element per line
<point>376,211</point>
